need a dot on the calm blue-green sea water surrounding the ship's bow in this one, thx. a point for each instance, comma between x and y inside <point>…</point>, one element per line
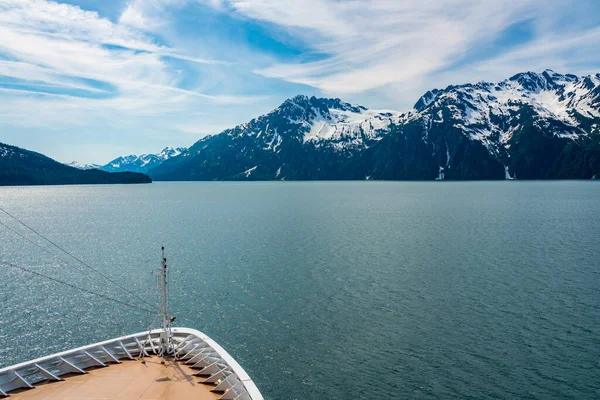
<point>372,290</point>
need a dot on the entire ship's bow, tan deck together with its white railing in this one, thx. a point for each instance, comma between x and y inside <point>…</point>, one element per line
<point>129,367</point>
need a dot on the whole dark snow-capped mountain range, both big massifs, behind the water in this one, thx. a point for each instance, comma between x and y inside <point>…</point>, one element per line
<point>530,126</point>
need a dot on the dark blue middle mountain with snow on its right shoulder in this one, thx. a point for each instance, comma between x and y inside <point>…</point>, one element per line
<point>301,135</point>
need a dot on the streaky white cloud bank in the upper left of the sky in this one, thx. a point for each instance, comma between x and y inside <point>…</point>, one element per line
<point>64,46</point>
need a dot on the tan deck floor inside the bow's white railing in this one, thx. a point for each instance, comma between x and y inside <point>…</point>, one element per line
<point>129,380</point>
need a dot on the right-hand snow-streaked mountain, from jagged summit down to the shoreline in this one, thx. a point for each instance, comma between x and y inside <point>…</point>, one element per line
<point>523,123</point>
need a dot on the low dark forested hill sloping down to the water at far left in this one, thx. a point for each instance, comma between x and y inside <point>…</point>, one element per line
<point>24,167</point>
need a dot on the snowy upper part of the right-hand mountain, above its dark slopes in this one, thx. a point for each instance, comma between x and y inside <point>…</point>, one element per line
<point>563,106</point>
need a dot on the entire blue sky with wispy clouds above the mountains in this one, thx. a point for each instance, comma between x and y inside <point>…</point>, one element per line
<point>91,80</point>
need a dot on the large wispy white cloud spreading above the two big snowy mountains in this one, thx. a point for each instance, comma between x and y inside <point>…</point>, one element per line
<point>369,45</point>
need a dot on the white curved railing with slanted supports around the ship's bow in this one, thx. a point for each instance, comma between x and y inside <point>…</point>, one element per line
<point>191,346</point>
